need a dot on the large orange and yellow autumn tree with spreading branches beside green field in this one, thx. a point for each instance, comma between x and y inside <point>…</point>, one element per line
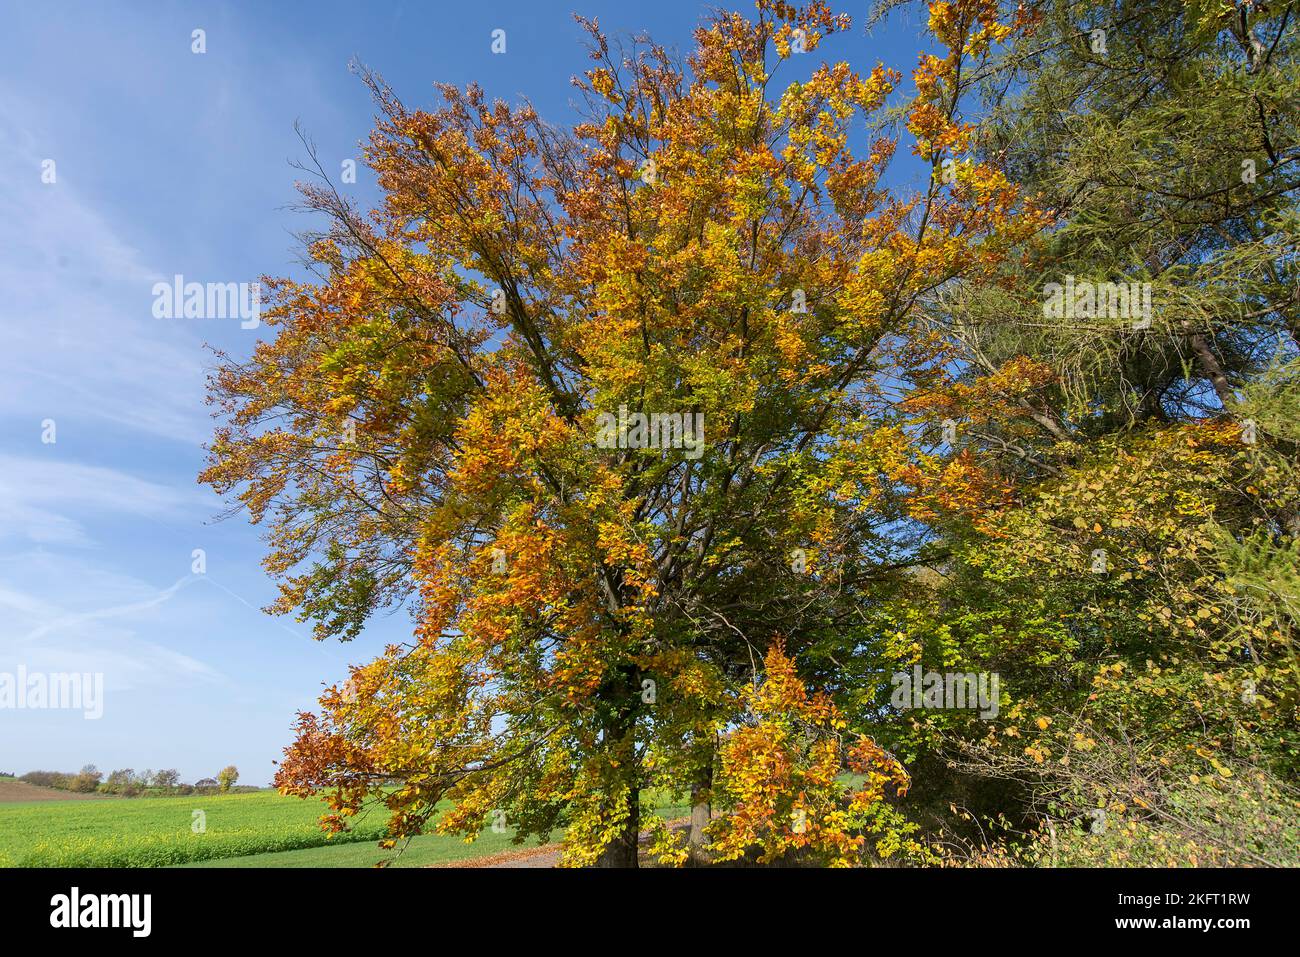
<point>449,418</point>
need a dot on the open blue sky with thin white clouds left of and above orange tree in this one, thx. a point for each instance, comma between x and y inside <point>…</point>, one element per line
<point>168,162</point>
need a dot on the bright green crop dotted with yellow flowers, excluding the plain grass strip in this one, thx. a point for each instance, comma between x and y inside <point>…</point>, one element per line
<point>157,833</point>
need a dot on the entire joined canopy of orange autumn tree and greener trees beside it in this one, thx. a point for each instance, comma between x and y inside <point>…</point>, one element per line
<point>686,430</point>
